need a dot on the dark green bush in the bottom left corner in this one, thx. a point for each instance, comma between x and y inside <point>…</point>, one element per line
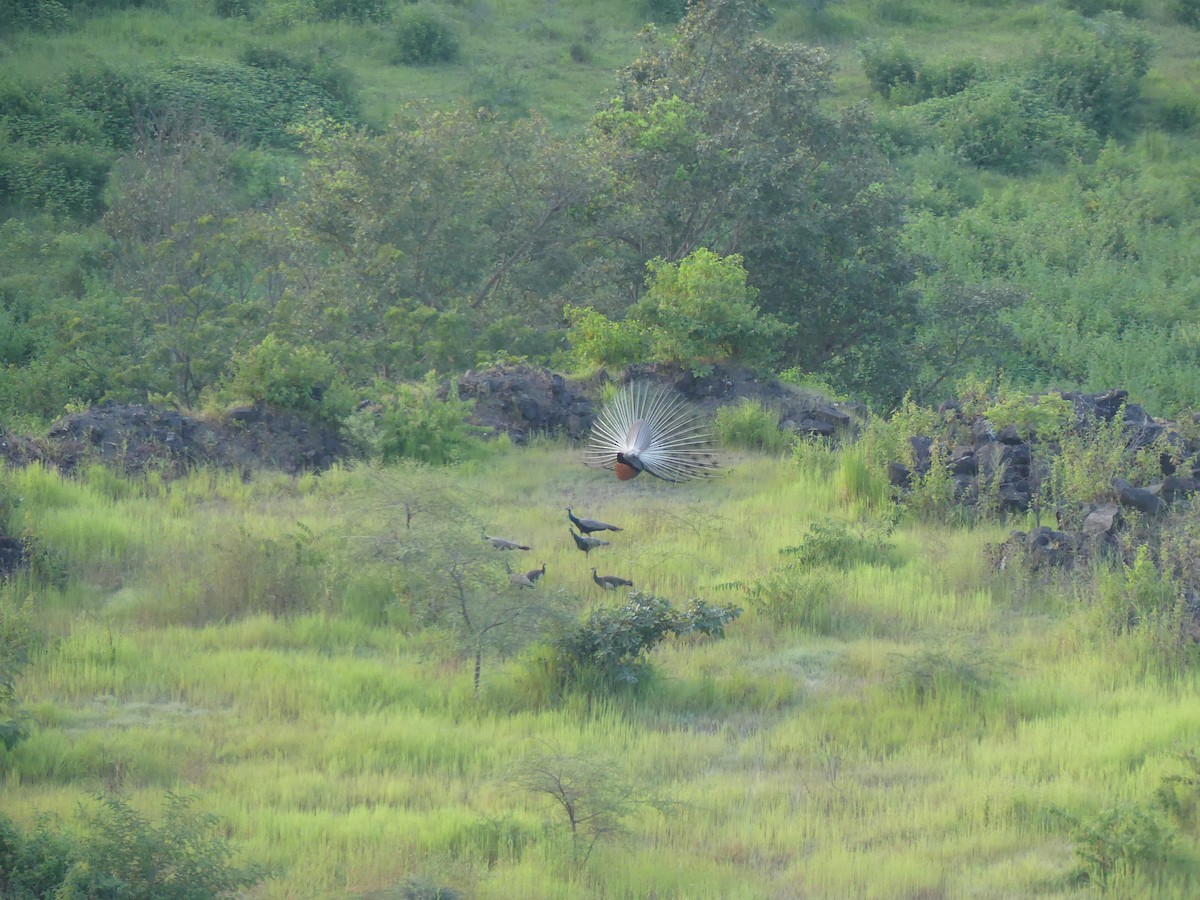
<point>119,854</point>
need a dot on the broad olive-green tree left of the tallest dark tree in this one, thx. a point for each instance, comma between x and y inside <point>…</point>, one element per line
<point>407,245</point>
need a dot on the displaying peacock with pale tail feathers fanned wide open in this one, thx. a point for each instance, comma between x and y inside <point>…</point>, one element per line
<point>647,429</point>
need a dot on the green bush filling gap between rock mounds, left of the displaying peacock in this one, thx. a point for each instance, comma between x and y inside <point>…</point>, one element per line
<point>422,422</point>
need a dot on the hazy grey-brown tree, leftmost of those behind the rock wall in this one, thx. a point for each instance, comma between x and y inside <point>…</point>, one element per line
<point>197,281</point>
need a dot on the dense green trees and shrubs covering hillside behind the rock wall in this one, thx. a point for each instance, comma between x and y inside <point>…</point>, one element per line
<point>385,188</point>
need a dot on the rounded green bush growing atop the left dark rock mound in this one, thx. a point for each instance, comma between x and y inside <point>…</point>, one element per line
<point>298,380</point>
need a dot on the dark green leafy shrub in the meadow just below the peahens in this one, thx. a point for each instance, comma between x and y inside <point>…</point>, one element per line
<point>610,647</point>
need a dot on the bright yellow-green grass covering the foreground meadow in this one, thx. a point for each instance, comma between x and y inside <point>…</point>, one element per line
<point>349,754</point>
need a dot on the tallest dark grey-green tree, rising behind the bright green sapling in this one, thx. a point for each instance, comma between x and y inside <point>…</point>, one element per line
<point>721,140</point>
